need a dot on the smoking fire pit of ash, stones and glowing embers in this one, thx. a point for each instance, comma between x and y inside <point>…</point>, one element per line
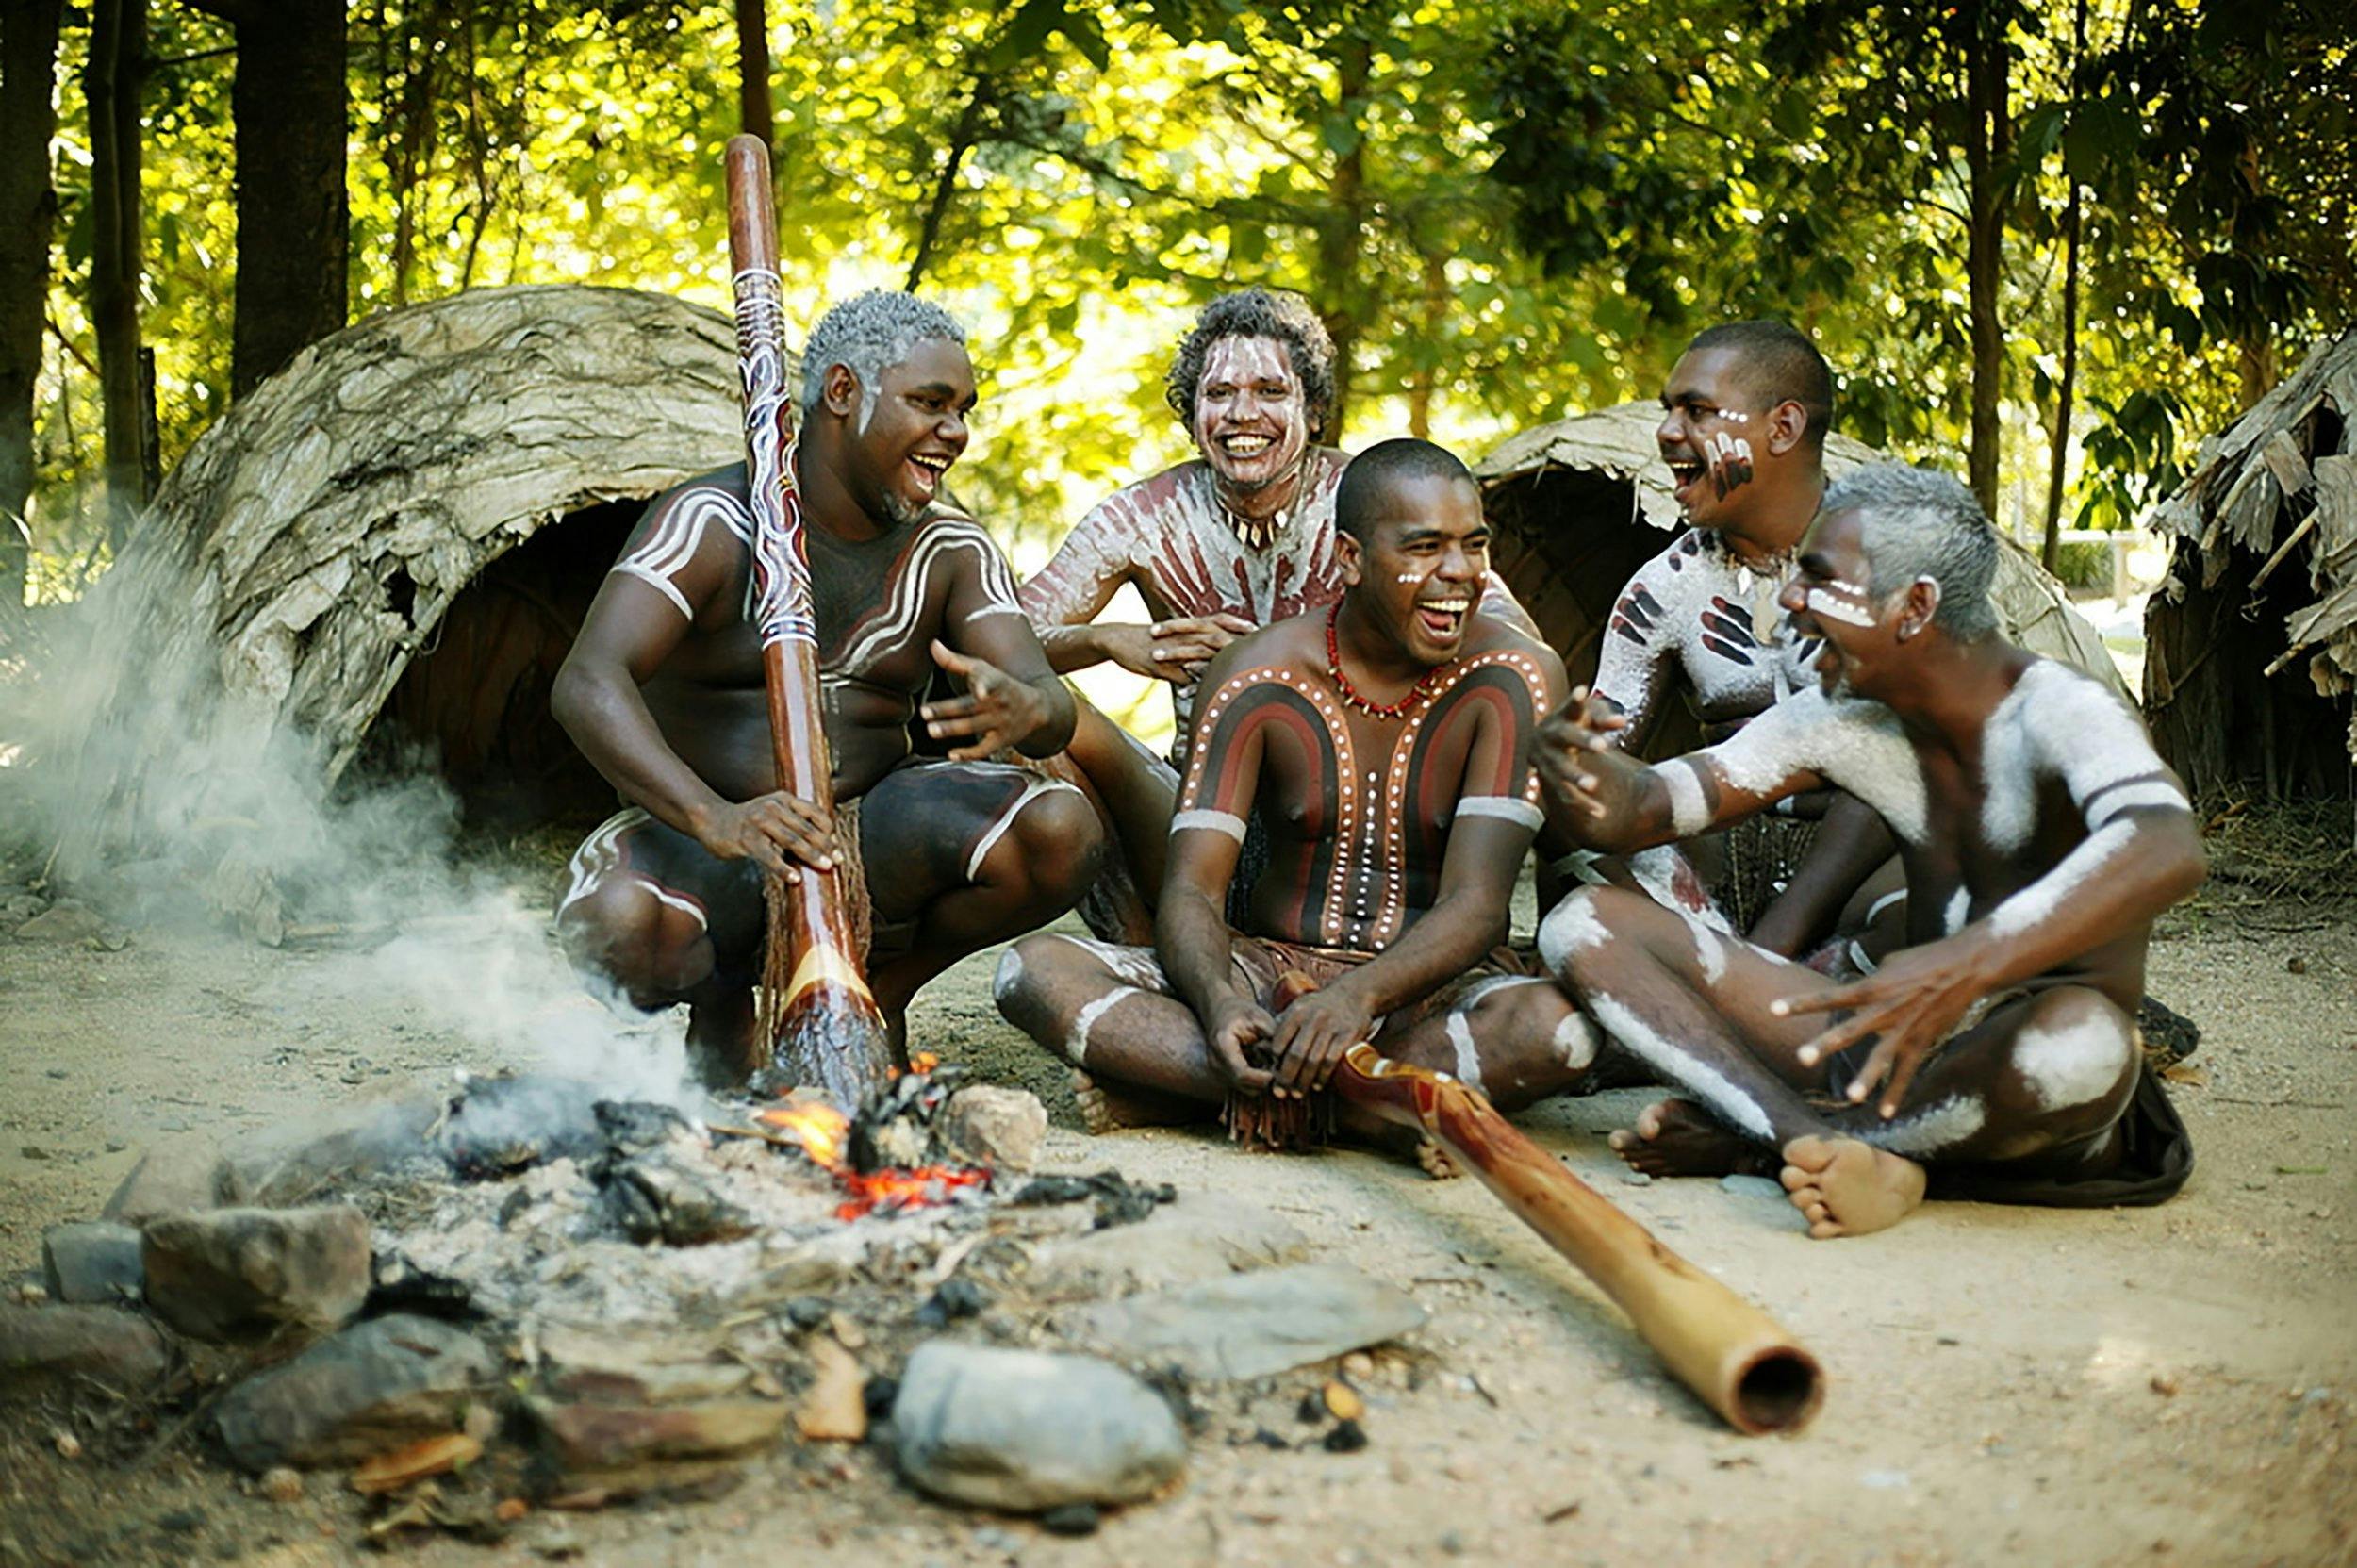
<point>491,1305</point>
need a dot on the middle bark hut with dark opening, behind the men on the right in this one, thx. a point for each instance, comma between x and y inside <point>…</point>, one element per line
<point>1618,447</point>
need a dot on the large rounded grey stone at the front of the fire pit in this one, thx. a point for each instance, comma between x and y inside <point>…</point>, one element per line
<point>1031,1432</point>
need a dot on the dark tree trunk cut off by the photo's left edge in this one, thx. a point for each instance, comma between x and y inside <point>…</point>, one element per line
<point>27,218</point>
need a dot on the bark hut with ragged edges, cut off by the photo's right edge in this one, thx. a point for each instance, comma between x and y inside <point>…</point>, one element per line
<point>2266,520</point>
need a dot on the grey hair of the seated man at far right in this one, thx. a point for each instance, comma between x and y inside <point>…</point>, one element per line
<point>1924,525</point>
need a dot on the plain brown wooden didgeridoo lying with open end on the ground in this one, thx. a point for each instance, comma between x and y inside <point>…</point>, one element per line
<point>1719,1345</point>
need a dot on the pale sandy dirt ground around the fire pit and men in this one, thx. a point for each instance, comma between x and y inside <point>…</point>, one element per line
<point>2165,1385</point>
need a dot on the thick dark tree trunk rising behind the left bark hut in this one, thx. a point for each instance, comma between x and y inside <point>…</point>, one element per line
<point>291,119</point>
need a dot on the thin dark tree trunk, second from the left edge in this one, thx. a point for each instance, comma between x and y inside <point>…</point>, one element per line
<point>112,88</point>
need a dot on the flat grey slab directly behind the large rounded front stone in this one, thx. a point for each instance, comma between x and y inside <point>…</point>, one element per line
<point>1250,1324</point>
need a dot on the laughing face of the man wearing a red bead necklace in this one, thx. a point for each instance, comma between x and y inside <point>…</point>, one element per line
<point>1418,574</point>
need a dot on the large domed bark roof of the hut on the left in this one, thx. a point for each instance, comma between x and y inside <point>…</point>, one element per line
<point>308,548</point>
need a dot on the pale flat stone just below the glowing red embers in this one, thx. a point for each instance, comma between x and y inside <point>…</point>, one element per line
<point>1187,1241</point>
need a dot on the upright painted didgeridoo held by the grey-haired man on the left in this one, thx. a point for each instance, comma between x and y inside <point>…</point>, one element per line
<point>819,1022</point>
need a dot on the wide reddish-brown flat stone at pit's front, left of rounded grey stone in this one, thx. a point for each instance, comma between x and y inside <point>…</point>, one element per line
<point>638,1449</point>
